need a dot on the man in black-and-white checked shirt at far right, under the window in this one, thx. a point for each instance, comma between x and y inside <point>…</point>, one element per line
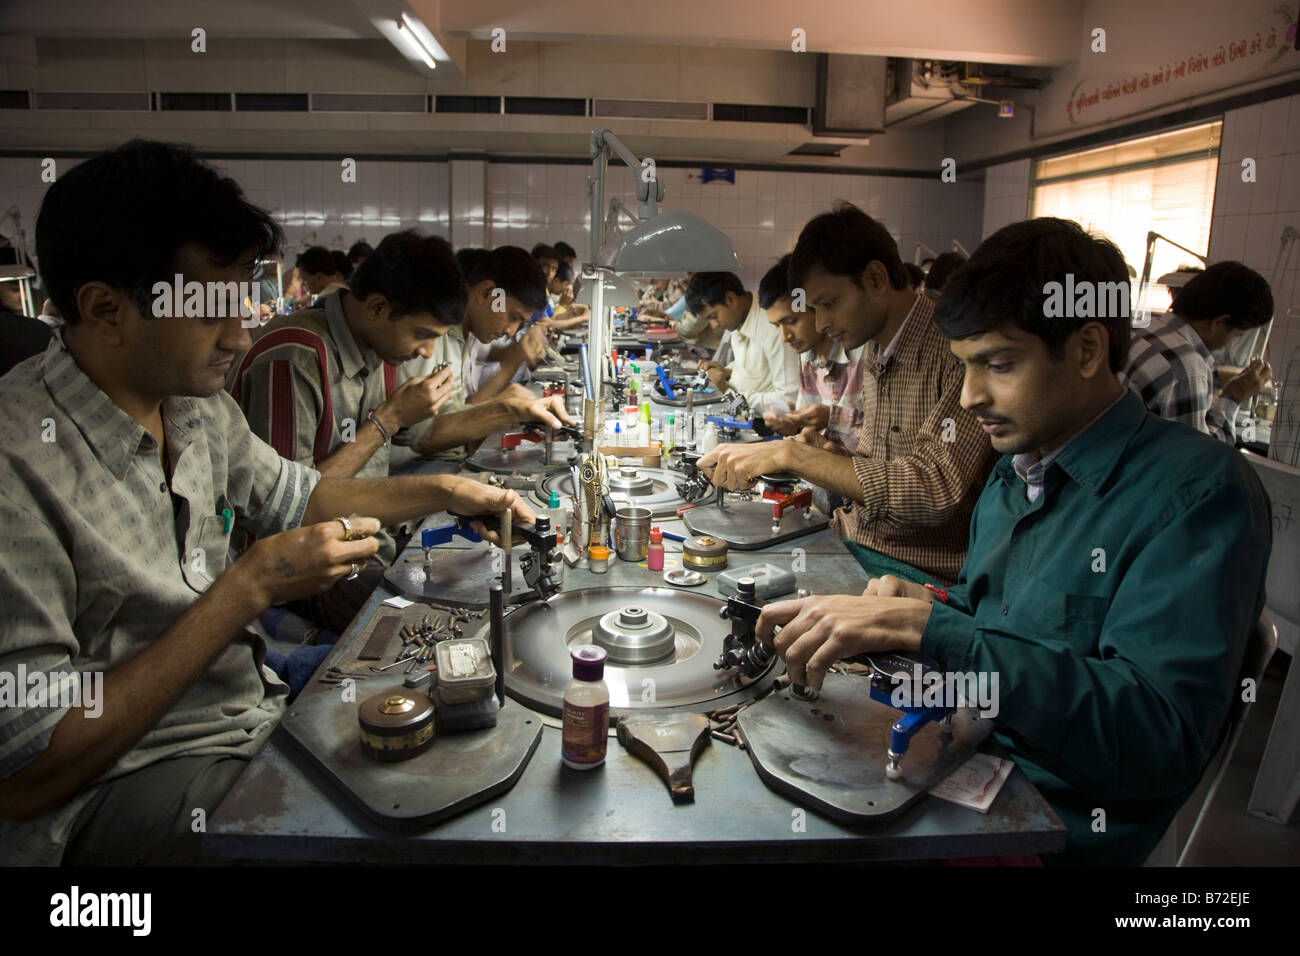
<point>1171,364</point>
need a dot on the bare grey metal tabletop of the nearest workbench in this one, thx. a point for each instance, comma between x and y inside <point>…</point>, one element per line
<point>285,808</point>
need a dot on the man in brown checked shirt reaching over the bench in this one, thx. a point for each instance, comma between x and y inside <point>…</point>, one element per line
<point>922,460</point>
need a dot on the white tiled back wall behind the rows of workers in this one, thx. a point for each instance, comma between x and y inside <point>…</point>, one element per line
<point>479,204</point>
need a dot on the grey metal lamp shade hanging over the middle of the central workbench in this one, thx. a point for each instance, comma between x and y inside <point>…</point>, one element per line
<point>670,245</point>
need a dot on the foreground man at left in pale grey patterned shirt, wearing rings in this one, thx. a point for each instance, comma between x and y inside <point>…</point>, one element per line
<point>131,693</point>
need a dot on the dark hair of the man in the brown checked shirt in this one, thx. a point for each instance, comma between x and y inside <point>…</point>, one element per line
<point>843,243</point>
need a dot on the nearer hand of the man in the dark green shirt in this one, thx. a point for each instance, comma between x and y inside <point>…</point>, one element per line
<point>821,630</point>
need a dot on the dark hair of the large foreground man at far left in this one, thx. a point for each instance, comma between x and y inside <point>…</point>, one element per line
<point>122,217</point>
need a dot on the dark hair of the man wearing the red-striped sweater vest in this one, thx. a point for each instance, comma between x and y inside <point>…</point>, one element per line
<point>415,274</point>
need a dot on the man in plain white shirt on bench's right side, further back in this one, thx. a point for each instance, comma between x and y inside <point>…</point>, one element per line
<point>762,369</point>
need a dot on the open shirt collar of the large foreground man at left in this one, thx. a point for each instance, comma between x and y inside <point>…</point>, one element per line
<point>111,434</point>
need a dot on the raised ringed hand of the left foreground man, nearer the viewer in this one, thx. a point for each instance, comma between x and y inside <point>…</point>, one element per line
<point>304,563</point>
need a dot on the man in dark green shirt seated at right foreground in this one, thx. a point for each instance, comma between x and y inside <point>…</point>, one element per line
<point>1116,565</point>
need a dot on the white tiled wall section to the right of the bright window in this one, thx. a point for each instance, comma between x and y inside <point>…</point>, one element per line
<point>1251,217</point>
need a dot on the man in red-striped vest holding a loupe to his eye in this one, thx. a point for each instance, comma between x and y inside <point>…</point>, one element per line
<point>322,386</point>
